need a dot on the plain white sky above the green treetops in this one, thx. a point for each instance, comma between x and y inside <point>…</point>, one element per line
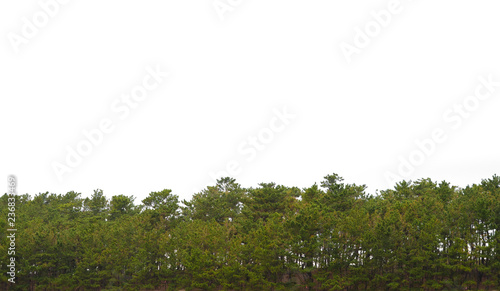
<point>229,76</point>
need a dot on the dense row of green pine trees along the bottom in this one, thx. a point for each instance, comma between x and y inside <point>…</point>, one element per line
<point>421,235</point>
